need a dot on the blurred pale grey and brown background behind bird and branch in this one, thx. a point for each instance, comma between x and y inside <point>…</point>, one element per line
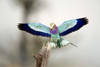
<point>16,47</point>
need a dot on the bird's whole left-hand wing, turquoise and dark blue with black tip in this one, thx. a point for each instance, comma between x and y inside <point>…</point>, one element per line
<point>35,29</point>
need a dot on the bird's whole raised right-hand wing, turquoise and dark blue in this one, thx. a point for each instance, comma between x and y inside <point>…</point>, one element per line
<point>71,26</point>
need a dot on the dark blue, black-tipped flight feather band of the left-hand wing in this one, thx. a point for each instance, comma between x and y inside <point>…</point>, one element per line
<point>27,28</point>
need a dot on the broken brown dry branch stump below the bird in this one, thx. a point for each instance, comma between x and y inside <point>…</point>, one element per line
<point>43,56</point>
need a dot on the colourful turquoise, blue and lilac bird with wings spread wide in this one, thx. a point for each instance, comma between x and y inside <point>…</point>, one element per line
<point>54,32</point>
